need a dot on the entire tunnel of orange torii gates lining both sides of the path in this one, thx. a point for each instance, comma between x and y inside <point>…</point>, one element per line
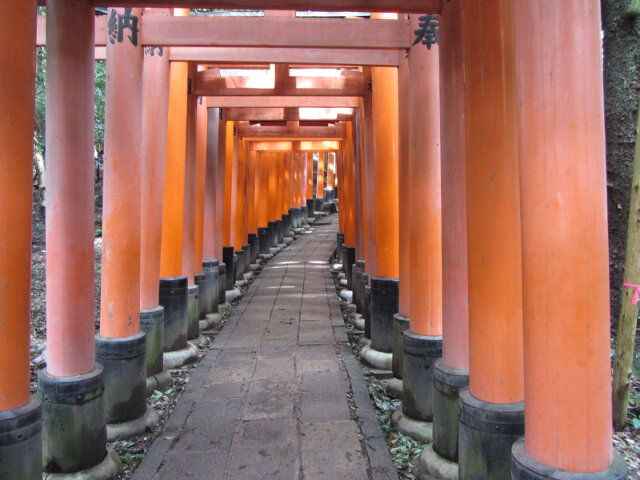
<point>468,143</point>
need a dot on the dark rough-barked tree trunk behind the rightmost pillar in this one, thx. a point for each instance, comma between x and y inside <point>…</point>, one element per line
<point>621,82</point>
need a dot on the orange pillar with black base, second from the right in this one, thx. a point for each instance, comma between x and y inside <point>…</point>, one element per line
<point>495,397</point>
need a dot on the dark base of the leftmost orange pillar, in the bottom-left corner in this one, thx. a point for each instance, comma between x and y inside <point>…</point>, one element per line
<point>21,442</point>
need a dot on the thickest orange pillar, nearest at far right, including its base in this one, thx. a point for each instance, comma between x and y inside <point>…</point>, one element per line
<point>564,242</point>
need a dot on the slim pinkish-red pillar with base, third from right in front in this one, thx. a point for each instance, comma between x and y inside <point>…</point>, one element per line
<point>452,372</point>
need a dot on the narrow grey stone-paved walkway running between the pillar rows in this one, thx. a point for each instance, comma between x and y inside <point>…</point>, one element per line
<point>280,395</point>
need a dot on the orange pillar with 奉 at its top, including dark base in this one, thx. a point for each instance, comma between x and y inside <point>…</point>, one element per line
<point>423,340</point>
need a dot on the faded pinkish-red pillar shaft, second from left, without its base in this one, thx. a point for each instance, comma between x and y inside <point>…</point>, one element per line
<point>70,193</point>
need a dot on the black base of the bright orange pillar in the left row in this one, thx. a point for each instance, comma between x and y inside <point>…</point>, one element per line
<point>174,299</point>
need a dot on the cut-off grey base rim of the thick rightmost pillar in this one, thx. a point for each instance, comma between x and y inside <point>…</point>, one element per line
<point>526,468</point>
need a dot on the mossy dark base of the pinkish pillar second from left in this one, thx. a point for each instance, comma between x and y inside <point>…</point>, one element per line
<point>74,433</point>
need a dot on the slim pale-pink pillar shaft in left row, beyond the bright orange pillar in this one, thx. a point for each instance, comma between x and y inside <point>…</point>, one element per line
<point>210,229</point>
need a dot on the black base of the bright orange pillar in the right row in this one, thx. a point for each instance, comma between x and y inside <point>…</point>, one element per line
<point>384,304</point>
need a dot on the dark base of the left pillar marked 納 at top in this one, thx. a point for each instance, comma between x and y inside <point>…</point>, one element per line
<point>124,363</point>
